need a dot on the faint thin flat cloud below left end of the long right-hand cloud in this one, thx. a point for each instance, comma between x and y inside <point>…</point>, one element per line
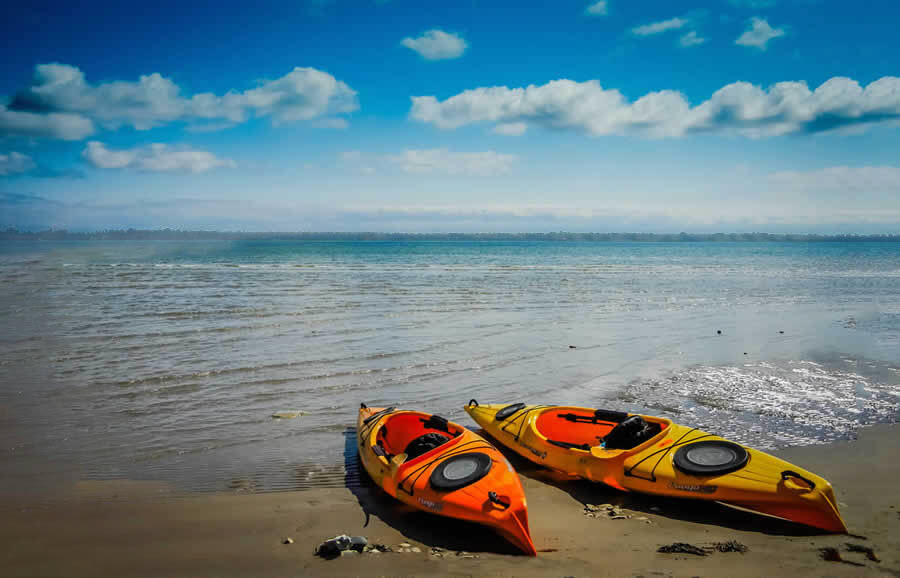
<point>485,163</point>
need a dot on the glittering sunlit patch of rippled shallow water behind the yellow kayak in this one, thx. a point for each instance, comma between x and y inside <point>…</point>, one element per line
<point>770,405</point>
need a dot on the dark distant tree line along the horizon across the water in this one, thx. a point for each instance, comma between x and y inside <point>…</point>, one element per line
<point>181,235</point>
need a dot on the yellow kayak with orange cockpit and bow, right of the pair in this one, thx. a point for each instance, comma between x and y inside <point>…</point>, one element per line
<point>656,456</point>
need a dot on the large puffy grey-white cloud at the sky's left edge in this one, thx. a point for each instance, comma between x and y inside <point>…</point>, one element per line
<point>61,103</point>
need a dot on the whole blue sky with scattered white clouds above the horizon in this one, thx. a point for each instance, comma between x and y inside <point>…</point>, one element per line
<point>463,116</point>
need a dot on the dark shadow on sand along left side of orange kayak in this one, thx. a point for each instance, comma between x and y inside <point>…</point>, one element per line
<point>429,529</point>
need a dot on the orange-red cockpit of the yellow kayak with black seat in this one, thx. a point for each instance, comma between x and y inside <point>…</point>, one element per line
<point>581,429</point>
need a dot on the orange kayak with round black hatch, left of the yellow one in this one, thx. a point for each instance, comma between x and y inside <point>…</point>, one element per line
<point>441,467</point>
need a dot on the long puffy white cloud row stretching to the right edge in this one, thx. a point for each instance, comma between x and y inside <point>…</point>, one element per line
<point>738,108</point>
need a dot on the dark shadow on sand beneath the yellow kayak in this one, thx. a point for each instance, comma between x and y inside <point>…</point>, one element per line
<point>687,510</point>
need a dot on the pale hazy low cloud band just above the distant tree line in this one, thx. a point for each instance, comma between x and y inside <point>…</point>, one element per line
<point>260,214</point>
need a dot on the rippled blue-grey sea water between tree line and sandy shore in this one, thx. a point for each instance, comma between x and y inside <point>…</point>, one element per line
<point>166,360</point>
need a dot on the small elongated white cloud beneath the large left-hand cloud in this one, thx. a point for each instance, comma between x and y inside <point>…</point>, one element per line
<point>155,158</point>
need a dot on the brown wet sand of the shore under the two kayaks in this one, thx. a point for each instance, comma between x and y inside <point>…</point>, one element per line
<point>125,528</point>
